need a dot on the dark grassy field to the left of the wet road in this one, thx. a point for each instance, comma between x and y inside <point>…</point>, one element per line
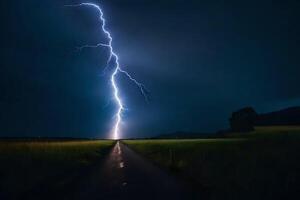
<point>25,166</point>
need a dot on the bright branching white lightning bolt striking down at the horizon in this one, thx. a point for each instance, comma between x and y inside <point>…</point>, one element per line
<point>117,69</point>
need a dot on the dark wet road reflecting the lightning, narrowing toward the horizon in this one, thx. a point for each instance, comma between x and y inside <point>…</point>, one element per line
<point>126,175</point>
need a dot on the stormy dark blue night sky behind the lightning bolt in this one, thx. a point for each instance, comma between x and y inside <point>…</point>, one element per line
<point>200,60</point>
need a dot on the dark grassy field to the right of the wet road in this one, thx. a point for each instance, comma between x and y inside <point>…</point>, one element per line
<point>264,164</point>
